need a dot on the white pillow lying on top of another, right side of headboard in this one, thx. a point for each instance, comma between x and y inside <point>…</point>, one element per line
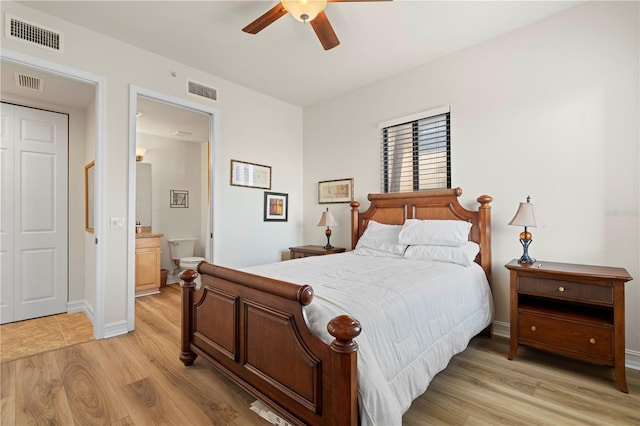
<point>435,232</point>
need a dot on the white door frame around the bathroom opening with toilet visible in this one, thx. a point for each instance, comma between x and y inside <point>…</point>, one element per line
<point>214,166</point>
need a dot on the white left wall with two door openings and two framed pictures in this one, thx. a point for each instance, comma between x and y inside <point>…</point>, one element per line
<point>253,127</point>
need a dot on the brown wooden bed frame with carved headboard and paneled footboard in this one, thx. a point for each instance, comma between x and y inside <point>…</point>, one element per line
<point>252,329</point>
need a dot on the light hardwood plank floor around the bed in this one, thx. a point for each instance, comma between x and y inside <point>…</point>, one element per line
<point>137,379</point>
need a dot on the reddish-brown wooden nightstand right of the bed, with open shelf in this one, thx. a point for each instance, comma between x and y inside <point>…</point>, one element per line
<point>572,310</point>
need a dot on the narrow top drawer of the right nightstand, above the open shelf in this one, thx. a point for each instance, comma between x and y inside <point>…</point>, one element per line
<point>565,289</point>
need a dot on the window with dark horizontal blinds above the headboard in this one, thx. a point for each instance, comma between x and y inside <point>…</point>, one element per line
<point>416,152</point>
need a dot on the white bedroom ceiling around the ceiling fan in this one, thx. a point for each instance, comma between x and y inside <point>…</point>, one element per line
<point>285,60</point>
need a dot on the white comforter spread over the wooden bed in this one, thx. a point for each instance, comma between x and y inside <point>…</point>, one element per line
<point>415,316</point>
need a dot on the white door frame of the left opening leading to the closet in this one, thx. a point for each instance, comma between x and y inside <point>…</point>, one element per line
<point>99,83</point>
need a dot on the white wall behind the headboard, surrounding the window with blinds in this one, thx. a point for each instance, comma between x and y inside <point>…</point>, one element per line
<point>550,110</point>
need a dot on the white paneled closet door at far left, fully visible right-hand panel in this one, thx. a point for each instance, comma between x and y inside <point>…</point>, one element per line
<point>40,162</point>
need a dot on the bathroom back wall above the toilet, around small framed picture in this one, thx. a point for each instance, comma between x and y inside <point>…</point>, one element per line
<point>174,165</point>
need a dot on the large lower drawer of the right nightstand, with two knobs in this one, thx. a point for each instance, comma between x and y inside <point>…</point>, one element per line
<point>566,335</point>
